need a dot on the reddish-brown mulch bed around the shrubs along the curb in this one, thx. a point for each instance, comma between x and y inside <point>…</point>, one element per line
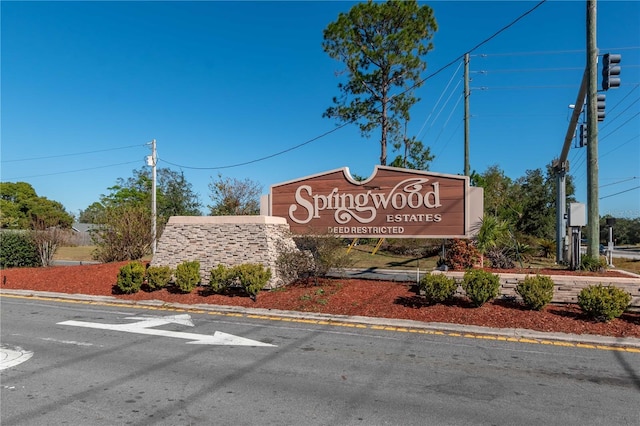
<point>334,296</point>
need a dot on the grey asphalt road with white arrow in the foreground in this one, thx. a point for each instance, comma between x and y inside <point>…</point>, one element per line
<point>93,364</point>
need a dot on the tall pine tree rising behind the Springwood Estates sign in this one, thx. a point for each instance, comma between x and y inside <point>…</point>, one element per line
<point>382,46</point>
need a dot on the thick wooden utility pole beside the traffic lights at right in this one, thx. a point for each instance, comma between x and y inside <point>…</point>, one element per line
<point>593,216</point>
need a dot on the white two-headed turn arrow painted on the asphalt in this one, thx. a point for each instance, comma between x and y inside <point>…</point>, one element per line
<point>144,324</point>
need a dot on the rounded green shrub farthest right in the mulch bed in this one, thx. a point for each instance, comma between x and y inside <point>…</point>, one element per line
<point>603,303</point>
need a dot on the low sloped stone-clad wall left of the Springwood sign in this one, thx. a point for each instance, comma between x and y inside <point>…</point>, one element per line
<point>226,240</point>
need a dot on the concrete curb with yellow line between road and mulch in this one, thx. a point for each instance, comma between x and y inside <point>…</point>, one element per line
<point>516,334</point>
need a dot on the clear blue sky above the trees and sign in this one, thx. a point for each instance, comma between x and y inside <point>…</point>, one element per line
<point>86,85</point>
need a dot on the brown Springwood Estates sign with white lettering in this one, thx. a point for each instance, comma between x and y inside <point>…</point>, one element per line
<point>392,203</point>
